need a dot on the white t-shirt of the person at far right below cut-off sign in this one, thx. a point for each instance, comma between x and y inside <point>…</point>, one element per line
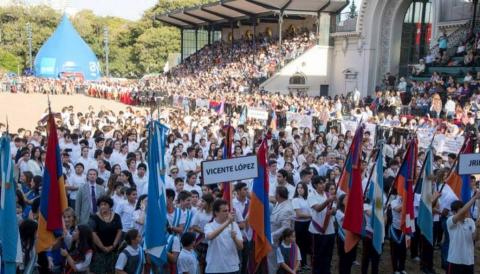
<point>461,250</point>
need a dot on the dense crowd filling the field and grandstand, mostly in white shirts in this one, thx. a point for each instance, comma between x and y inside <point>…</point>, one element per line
<point>106,172</point>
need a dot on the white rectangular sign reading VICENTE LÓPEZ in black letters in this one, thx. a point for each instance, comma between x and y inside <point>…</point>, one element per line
<point>229,170</point>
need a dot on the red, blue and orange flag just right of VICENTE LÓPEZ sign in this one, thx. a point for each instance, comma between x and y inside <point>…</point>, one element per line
<point>259,212</point>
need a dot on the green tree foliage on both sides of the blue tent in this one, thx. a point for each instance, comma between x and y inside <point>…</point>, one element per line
<point>135,48</point>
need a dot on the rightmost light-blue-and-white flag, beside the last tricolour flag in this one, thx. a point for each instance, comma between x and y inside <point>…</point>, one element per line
<point>425,219</point>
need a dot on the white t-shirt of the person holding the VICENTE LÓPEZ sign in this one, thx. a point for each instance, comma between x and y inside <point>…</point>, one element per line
<point>222,247</point>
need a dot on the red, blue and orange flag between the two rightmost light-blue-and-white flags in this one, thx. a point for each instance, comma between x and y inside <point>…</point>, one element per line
<point>404,185</point>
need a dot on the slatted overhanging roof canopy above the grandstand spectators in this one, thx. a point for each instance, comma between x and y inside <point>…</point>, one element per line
<point>235,10</point>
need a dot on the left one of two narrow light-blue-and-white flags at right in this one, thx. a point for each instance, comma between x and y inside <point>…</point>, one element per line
<point>376,199</point>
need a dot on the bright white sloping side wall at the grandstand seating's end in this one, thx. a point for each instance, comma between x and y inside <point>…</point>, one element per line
<point>315,64</point>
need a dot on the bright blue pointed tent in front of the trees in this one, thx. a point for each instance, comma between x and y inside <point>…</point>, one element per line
<point>65,52</point>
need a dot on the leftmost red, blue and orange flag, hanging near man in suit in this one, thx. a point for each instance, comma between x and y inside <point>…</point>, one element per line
<point>53,199</point>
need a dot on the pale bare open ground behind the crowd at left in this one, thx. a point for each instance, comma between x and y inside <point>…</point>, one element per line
<point>24,110</point>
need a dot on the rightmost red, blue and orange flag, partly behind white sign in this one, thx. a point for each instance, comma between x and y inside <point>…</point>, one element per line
<point>460,184</point>
